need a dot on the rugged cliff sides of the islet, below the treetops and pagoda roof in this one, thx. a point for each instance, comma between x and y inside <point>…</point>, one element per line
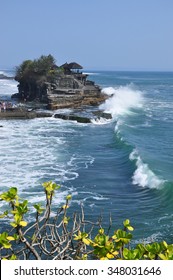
<point>64,91</point>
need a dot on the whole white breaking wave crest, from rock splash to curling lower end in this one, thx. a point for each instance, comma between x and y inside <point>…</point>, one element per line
<point>125,101</point>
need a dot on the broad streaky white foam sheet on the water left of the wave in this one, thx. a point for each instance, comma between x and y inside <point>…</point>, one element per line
<point>34,151</point>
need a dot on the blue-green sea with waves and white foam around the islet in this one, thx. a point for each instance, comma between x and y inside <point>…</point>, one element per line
<point>122,166</point>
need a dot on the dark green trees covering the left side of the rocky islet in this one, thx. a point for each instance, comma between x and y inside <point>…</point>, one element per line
<point>33,76</point>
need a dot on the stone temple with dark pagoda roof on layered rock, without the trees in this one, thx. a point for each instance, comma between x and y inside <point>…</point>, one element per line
<point>72,89</point>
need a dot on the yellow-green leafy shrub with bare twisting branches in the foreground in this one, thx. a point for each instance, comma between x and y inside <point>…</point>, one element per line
<point>61,237</point>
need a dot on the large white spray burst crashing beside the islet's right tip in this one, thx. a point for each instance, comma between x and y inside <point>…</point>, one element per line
<point>121,100</point>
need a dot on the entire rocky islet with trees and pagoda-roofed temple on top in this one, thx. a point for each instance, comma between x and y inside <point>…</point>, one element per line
<point>59,87</point>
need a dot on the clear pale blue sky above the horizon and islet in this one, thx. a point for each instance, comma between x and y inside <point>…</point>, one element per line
<point>122,35</point>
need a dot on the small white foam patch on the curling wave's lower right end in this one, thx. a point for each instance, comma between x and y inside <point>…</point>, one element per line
<point>143,176</point>
